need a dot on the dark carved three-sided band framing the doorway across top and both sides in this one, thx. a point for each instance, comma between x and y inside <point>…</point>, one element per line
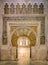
<point>42,19</point>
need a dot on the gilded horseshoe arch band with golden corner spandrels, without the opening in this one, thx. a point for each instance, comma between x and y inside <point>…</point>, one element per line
<point>23,32</point>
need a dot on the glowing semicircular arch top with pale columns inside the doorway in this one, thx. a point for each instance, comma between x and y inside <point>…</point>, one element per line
<point>23,41</point>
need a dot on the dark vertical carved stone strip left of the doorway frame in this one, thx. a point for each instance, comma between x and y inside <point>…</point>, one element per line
<point>4,32</point>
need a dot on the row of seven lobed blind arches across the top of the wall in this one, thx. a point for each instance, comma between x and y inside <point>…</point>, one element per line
<point>29,9</point>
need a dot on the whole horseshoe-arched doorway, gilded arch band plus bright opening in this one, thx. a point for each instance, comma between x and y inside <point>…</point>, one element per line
<point>23,42</point>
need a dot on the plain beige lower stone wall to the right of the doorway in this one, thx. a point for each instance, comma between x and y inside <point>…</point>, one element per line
<point>39,53</point>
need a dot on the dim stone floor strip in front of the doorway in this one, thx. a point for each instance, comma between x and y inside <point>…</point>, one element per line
<point>24,63</point>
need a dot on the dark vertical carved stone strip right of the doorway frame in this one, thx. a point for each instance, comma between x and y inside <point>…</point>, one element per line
<point>42,39</point>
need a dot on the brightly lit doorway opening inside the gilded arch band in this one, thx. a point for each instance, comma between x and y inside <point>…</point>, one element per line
<point>23,48</point>
